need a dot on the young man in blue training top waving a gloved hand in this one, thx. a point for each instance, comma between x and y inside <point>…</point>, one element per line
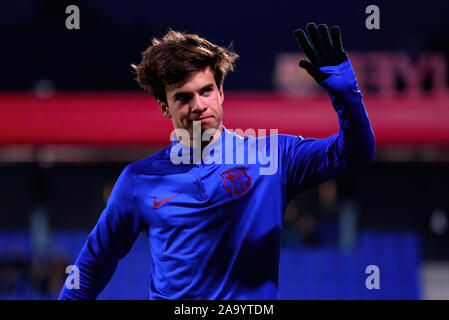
<point>214,227</point>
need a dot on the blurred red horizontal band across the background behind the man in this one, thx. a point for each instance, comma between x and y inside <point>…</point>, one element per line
<point>128,118</point>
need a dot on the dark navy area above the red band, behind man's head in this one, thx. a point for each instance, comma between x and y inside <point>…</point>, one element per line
<point>36,45</point>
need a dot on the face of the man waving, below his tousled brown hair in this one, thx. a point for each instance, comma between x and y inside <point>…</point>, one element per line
<point>195,99</point>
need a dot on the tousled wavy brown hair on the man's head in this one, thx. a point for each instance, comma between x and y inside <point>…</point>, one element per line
<point>171,59</point>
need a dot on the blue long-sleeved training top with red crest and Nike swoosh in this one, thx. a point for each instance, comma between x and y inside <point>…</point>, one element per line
<point>215,228</point>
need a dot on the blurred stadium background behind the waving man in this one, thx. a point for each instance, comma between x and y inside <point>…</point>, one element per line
<point>72,117</point>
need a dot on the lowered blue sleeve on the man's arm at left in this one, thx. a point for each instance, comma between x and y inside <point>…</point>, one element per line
<point>109,241</point>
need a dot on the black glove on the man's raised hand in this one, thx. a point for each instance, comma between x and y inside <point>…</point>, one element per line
<point>324,51</point>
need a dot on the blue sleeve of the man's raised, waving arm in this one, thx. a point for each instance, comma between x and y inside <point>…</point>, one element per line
<point>309,162</point>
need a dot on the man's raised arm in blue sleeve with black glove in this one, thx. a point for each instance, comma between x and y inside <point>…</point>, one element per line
<point>312,161</point>
